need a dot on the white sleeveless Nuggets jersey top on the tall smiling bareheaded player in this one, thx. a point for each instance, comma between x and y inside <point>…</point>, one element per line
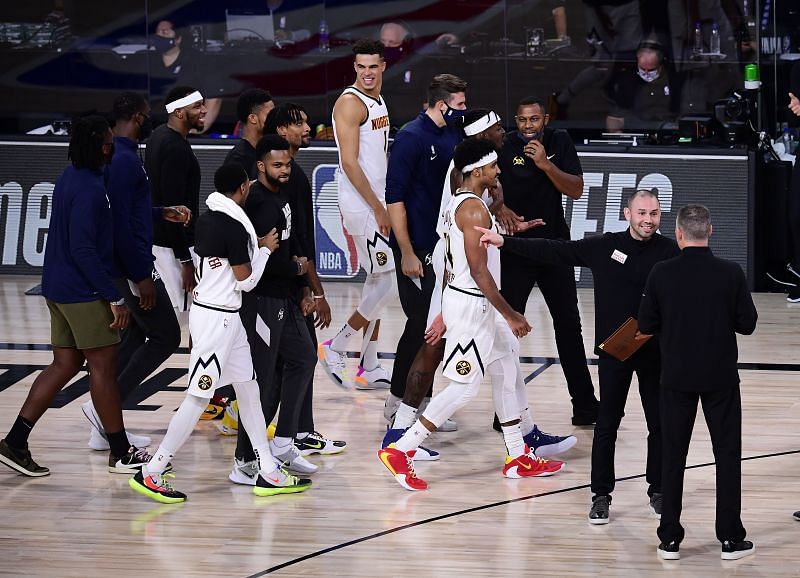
<point>373,143</point>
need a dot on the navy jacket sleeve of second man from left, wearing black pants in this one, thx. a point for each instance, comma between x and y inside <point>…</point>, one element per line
<point>122,190</point>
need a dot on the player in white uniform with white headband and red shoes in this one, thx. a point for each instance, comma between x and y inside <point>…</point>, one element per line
<point>481,329</point>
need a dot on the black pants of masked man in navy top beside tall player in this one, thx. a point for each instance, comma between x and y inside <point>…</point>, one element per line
<point>415,302</point>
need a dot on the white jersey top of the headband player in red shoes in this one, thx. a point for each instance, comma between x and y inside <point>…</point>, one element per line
<point>458,273</point>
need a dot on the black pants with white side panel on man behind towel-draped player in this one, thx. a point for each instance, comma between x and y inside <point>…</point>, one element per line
<point>276,327</point>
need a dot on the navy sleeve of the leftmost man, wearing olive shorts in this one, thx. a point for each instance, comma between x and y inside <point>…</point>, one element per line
<point>83,243</point>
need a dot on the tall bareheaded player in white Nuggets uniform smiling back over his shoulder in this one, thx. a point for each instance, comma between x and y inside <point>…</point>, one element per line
<point>361,128</point>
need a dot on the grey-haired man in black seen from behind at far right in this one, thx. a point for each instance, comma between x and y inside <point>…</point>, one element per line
<point>697,303</point>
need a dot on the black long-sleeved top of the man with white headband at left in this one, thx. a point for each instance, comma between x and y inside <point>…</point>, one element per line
<point>174,175</point>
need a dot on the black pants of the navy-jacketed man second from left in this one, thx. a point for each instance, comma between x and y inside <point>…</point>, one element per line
<point>148,340</point>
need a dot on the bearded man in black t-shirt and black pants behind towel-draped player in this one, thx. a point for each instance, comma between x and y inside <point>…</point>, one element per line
<point>274,318</point>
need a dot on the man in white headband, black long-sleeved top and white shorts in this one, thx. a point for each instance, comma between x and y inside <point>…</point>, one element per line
<point>174,176</point>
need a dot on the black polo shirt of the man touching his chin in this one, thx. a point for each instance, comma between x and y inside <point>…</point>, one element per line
<point>528,191</point>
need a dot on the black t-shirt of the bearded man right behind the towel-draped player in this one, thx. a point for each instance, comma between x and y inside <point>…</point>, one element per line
<point>268,210</point>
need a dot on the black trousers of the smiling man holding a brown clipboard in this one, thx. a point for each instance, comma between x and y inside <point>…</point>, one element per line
<point>615,382</point>
